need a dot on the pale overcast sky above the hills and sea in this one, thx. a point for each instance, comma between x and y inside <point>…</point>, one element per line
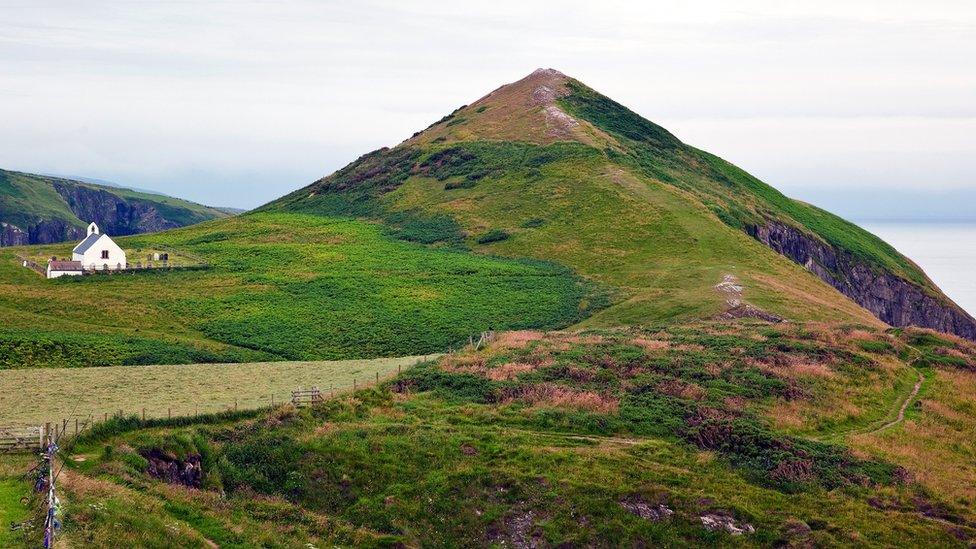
<point>235,103</point>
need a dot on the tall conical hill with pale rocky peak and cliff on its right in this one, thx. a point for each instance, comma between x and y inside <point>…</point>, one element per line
<point>548,168</point>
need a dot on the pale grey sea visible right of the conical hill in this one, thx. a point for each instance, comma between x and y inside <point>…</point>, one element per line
<point>945,251</point>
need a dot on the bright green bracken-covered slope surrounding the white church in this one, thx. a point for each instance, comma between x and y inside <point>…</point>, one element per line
<point>280,286</point>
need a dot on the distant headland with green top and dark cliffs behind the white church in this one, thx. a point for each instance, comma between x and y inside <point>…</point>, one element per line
<point>36,209</point>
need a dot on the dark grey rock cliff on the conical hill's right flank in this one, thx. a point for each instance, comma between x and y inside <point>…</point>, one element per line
<point>891,298</point>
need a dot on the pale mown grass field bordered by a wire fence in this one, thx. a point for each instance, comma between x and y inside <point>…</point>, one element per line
<point>35,396</point>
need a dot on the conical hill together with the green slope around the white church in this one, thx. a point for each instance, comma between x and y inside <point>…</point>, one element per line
<point>605,220</point>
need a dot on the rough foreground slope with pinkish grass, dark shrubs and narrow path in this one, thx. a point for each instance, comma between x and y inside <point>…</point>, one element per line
<point>599,438</point>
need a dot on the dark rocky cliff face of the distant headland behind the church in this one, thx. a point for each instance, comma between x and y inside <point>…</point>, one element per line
<point>115,215</point>
